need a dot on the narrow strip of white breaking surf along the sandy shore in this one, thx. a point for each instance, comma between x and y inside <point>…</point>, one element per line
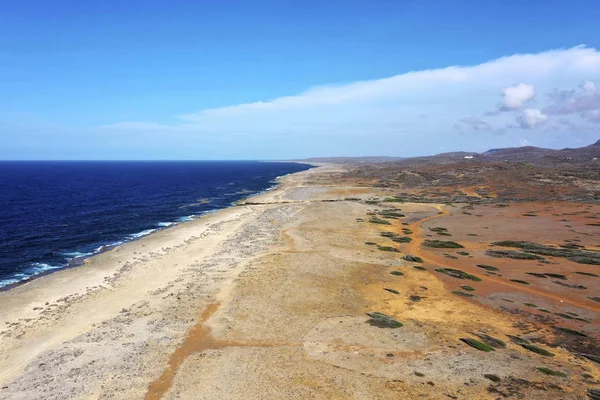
<point>79,261</point>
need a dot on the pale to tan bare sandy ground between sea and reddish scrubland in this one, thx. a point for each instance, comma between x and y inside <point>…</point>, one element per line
<point>256,302</point>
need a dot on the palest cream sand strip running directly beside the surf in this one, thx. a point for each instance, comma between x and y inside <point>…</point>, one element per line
<point>32,300</point>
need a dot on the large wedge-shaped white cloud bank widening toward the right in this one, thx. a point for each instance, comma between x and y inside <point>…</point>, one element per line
<point>349,116</point>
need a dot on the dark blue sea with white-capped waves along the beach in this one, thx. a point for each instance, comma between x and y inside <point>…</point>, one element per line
<point>53,214</point>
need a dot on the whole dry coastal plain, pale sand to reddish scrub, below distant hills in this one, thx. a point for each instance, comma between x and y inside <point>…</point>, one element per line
<point>345,282</point>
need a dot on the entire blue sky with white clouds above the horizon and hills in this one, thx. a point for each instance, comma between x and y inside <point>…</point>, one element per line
<point>290,79</point>
